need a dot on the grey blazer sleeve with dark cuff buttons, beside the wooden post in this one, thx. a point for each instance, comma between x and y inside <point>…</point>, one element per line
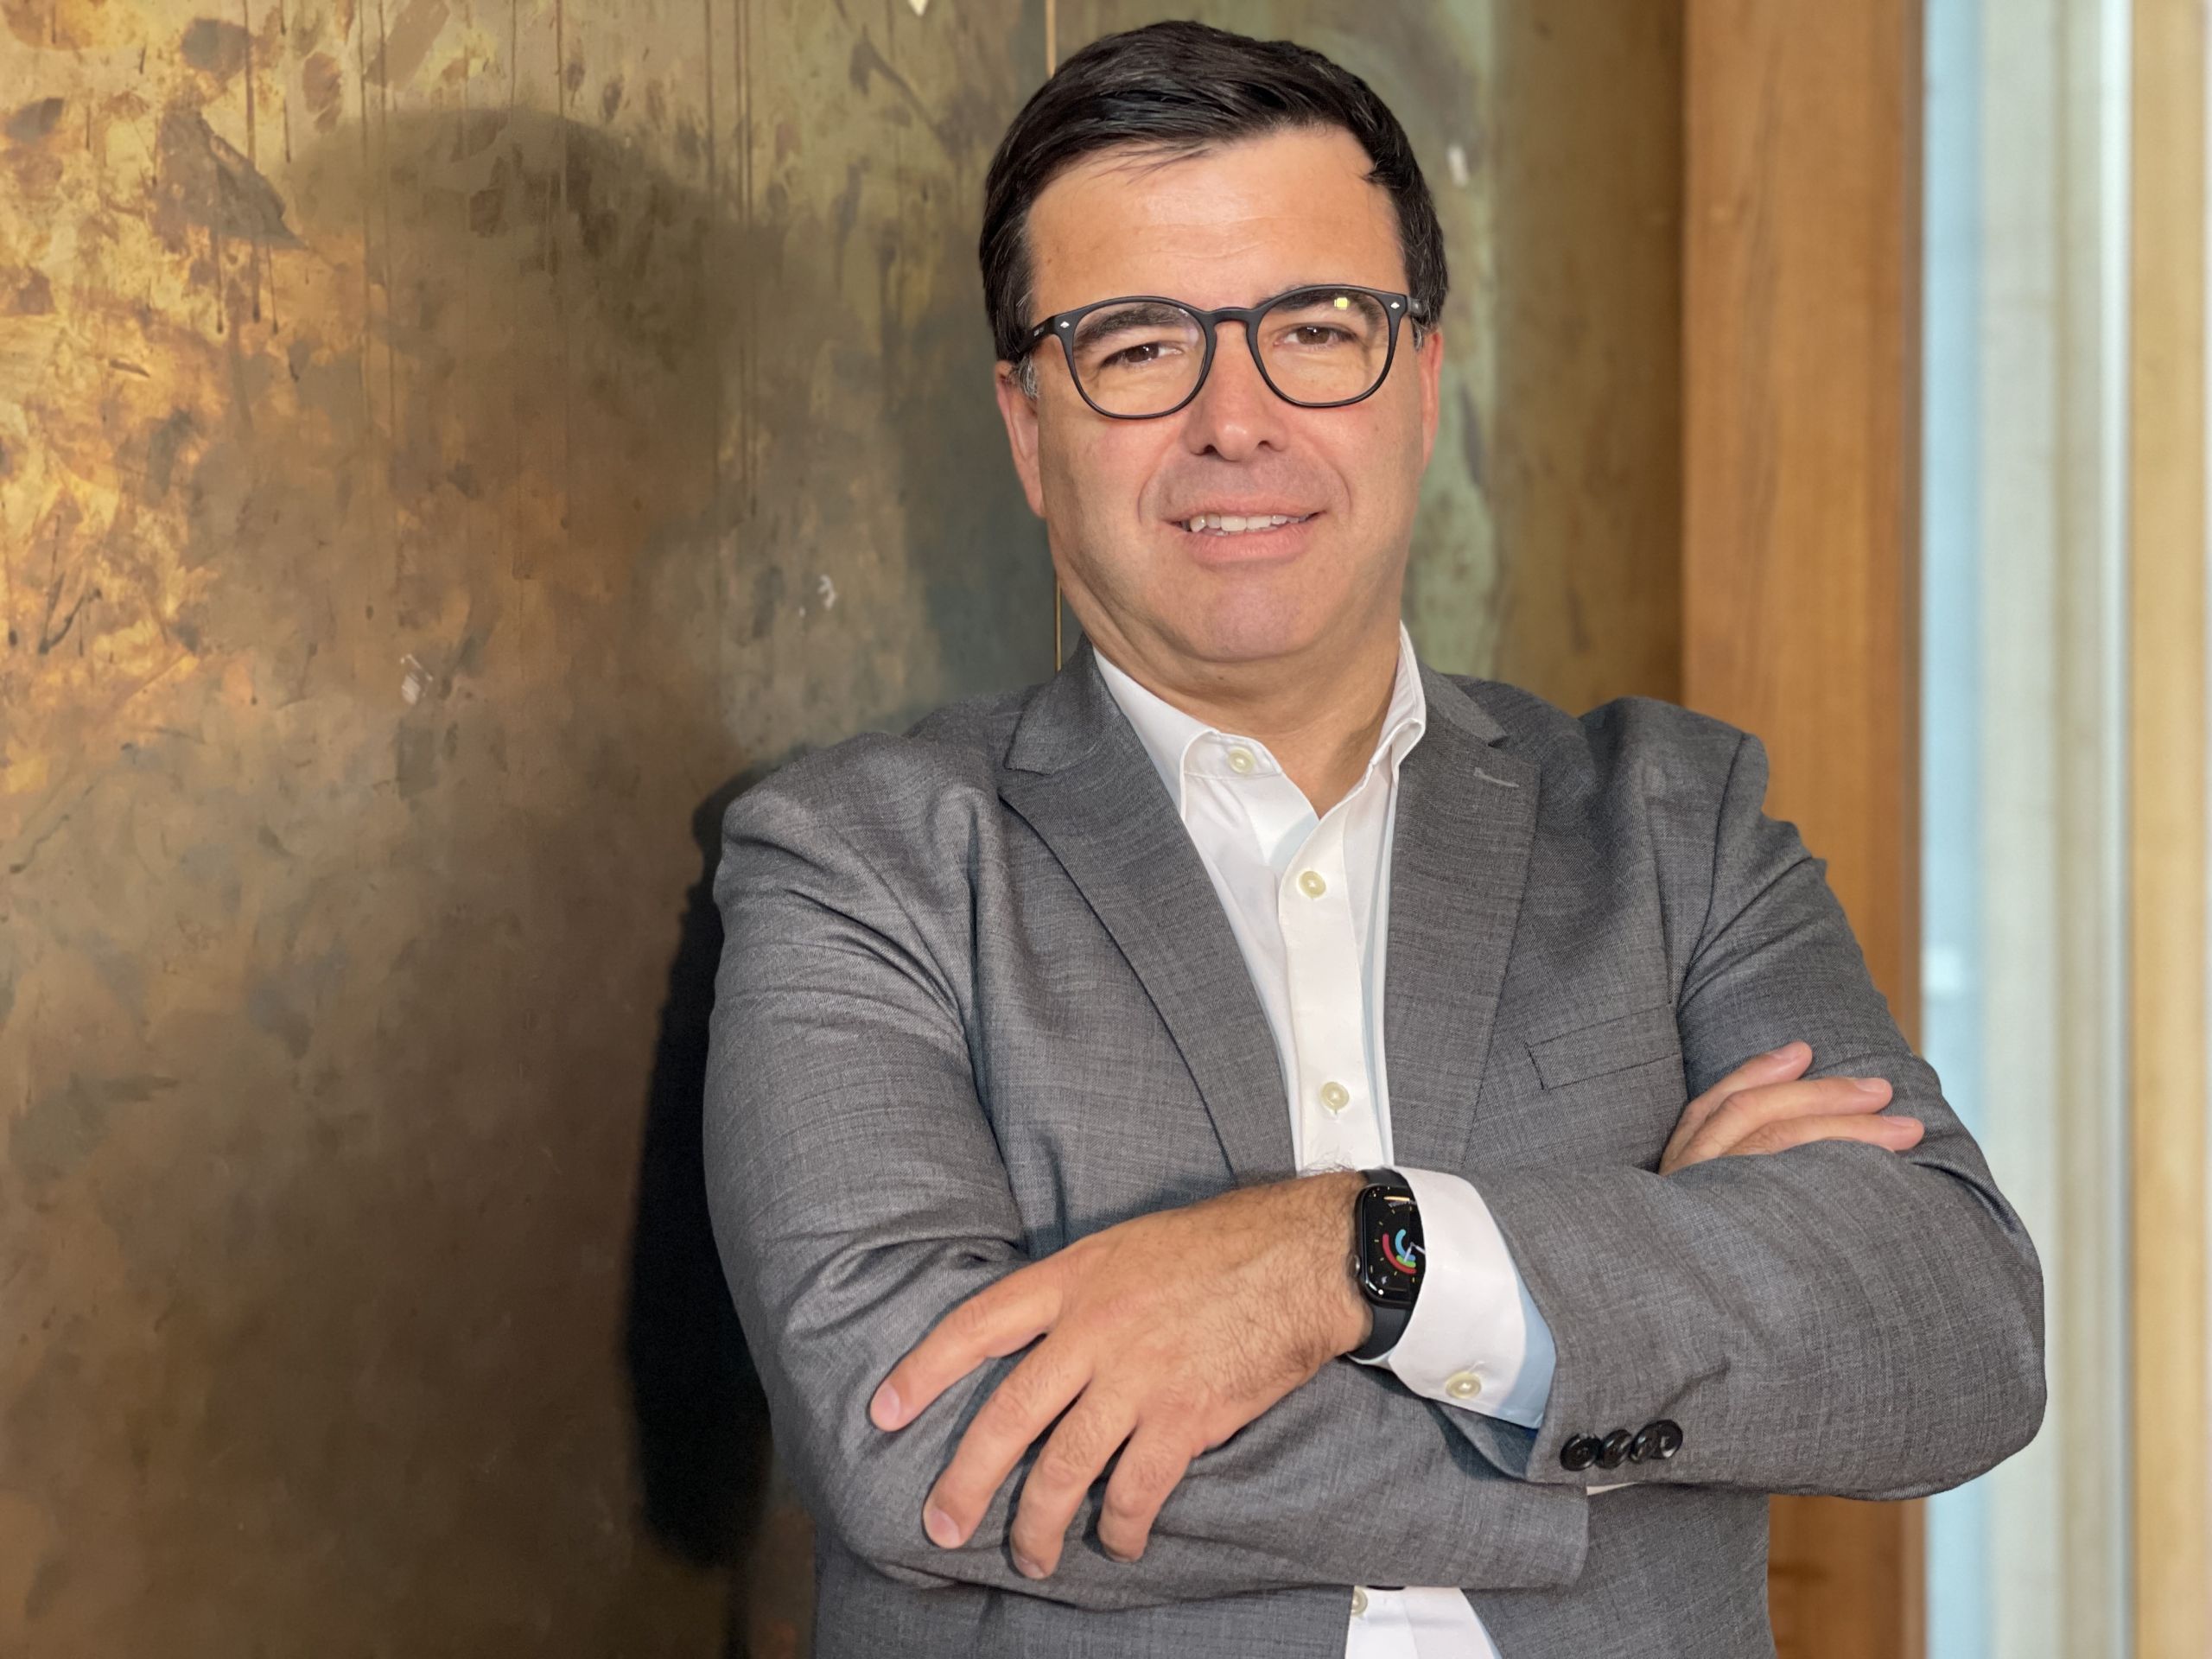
<point>1833,1319</point>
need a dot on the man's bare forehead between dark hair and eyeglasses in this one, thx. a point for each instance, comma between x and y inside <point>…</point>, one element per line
<point>1218,229</point>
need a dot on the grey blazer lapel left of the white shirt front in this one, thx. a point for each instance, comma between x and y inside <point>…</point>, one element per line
<point>1081,778</point>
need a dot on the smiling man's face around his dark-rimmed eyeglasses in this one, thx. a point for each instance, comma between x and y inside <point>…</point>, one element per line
<point>1229,227</point>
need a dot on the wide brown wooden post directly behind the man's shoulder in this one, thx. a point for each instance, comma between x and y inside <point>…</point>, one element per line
<point>1802,585</point>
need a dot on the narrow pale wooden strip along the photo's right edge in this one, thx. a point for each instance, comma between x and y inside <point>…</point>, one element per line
<point>2167,842</point>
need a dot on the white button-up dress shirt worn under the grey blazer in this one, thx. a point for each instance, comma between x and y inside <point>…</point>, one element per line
<point>1308,901</point>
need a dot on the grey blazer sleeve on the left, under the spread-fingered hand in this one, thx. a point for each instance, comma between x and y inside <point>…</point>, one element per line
<point>859,1193</point>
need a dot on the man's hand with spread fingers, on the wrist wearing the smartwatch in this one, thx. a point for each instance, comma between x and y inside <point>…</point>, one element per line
<point>1167,1333</point>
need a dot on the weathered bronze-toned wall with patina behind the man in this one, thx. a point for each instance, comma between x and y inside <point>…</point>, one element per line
<point>446,448</point>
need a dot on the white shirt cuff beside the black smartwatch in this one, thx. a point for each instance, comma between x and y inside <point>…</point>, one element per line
<point>1477,1337</point>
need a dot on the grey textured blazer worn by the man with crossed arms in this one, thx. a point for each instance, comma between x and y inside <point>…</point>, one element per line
<point>979,999</point>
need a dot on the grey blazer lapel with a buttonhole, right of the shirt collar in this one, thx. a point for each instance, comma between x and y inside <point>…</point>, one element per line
<point>1459,866</point>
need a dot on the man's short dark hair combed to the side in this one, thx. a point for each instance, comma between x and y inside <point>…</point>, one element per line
<point>1178,90</point>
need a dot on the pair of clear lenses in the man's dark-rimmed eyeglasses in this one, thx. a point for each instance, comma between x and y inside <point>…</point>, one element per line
<point>1317,346</point>
